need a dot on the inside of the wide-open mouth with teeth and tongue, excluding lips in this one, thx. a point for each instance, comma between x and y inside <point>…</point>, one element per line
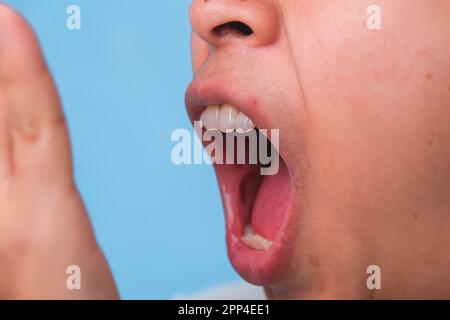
<point>260,207</point>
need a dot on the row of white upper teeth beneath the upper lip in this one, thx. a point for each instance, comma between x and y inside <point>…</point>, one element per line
<point>225,118</point>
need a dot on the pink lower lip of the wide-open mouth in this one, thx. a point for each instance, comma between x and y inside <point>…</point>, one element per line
<point>262,268</point>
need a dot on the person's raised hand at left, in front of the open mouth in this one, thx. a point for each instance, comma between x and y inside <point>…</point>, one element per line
<point>44,227</point>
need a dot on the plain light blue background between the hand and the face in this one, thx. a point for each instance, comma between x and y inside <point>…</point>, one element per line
<point>122,79</point>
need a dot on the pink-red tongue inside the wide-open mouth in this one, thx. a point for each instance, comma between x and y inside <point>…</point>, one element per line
<point>272,203</point>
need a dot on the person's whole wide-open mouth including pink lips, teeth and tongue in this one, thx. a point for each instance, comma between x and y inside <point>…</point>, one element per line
<point>257,205</point>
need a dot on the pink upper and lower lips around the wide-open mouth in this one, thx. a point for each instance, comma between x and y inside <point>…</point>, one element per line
<point>261,268</point>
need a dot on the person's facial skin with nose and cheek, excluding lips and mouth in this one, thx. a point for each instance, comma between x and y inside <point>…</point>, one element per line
<point>364,129</point>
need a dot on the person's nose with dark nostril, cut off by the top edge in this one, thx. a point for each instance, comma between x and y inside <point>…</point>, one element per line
<point>253,23</point>
